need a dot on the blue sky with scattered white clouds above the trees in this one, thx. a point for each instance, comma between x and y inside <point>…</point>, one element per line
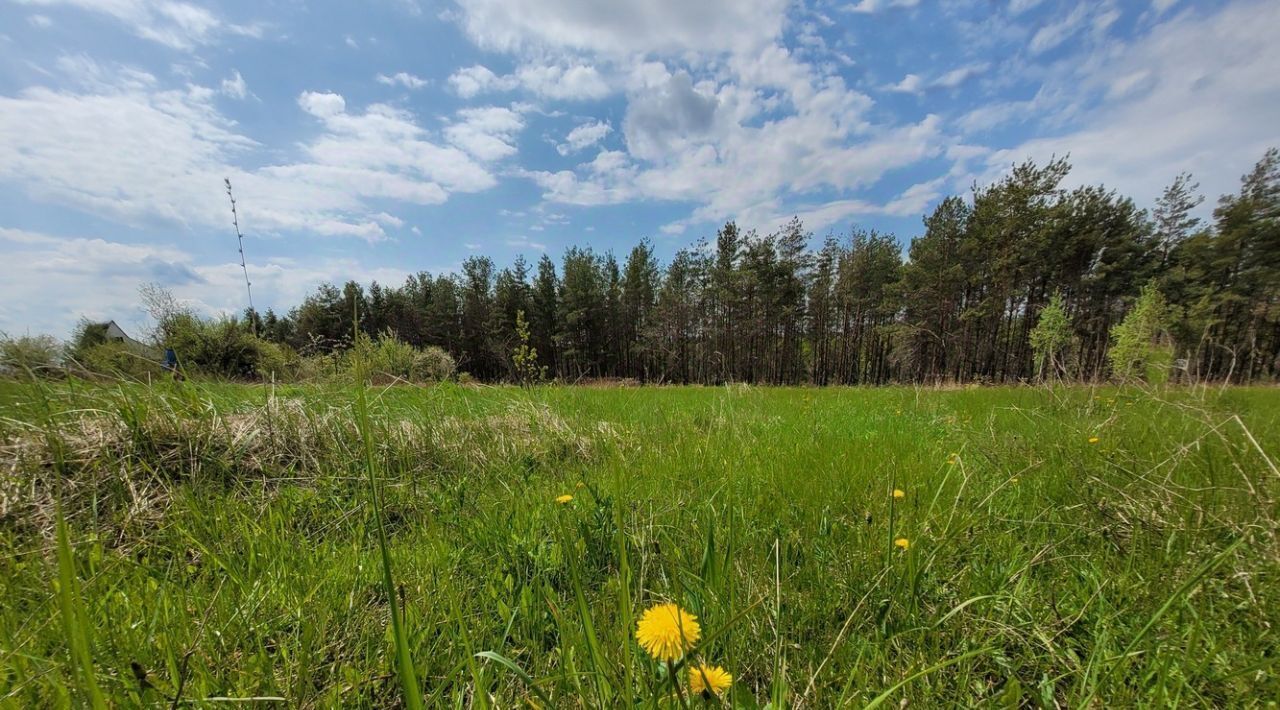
<point>378,139</point>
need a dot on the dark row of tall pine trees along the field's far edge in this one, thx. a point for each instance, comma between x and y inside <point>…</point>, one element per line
<point>963,303</point>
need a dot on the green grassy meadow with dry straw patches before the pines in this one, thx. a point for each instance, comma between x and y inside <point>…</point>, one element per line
<point>1073,548</point>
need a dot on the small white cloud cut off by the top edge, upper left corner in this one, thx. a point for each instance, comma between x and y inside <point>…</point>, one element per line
<point>175,24</point>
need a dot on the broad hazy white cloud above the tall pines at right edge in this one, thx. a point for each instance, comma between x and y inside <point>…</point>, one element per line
<point>1197,94</point>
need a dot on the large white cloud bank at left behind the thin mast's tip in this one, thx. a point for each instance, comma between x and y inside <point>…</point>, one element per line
<point>138,153</point>
